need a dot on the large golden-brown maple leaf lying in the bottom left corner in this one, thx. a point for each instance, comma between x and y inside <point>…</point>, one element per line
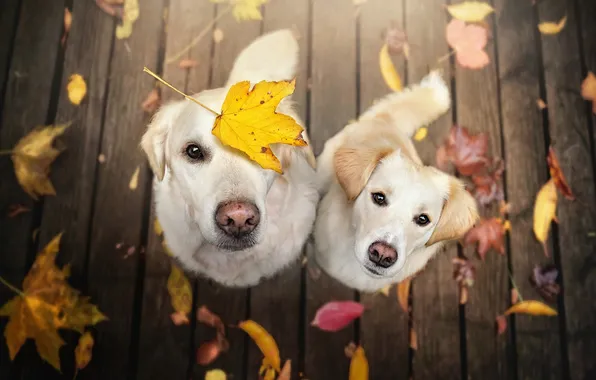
<point>46,304</point>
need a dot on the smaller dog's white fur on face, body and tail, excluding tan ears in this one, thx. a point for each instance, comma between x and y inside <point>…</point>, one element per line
<point>344,230</point>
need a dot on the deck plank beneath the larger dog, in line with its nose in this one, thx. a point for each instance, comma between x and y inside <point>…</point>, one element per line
<point>230,304</point>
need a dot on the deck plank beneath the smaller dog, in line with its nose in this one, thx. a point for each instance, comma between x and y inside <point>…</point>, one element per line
<point>384,326</point>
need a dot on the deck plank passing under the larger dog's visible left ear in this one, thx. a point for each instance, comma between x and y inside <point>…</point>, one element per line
<point>166,350</point>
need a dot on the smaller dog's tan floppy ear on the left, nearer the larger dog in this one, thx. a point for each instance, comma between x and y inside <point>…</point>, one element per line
<point>354,166</point>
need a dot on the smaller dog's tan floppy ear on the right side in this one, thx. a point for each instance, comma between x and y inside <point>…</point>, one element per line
<point>458,216</point>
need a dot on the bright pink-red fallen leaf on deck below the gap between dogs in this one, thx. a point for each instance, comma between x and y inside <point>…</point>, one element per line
<point>335,315</point>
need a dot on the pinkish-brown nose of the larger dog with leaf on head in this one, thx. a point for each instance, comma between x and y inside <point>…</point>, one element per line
<point>237,219</point>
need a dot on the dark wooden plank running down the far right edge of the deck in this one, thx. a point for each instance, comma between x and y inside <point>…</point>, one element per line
<point>568,127</point>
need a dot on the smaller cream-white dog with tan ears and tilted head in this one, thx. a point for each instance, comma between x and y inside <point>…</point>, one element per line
<point>384,214</point>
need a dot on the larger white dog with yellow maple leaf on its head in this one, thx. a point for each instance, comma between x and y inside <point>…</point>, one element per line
<point>223,215</point>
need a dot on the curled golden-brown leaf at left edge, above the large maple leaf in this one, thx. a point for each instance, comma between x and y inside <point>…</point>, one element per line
<point>32,157</point>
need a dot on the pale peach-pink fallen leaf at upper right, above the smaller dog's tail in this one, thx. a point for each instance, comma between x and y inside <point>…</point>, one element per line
<point>468,41</point>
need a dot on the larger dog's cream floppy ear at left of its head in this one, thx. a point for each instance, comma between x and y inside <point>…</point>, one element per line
<point>154,140</point>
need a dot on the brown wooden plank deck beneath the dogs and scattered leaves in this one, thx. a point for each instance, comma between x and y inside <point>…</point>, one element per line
<point>338,78</point>
